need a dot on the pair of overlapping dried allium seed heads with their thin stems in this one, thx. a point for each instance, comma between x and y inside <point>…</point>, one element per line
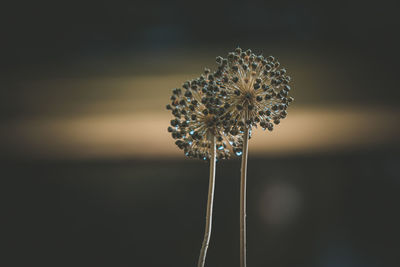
<point>215,113</point>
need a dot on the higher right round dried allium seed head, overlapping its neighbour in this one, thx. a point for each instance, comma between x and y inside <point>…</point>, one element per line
<point>257,90</point>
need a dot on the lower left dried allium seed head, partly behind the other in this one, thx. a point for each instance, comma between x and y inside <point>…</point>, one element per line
<point>199,115</point>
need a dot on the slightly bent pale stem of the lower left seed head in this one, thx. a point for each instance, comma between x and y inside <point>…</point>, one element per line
<point>210,201</point>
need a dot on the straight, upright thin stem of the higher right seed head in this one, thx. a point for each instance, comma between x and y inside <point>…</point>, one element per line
<point>243,184</point>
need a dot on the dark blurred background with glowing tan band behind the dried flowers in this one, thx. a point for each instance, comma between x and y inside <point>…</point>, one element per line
<point>90,176</point>
